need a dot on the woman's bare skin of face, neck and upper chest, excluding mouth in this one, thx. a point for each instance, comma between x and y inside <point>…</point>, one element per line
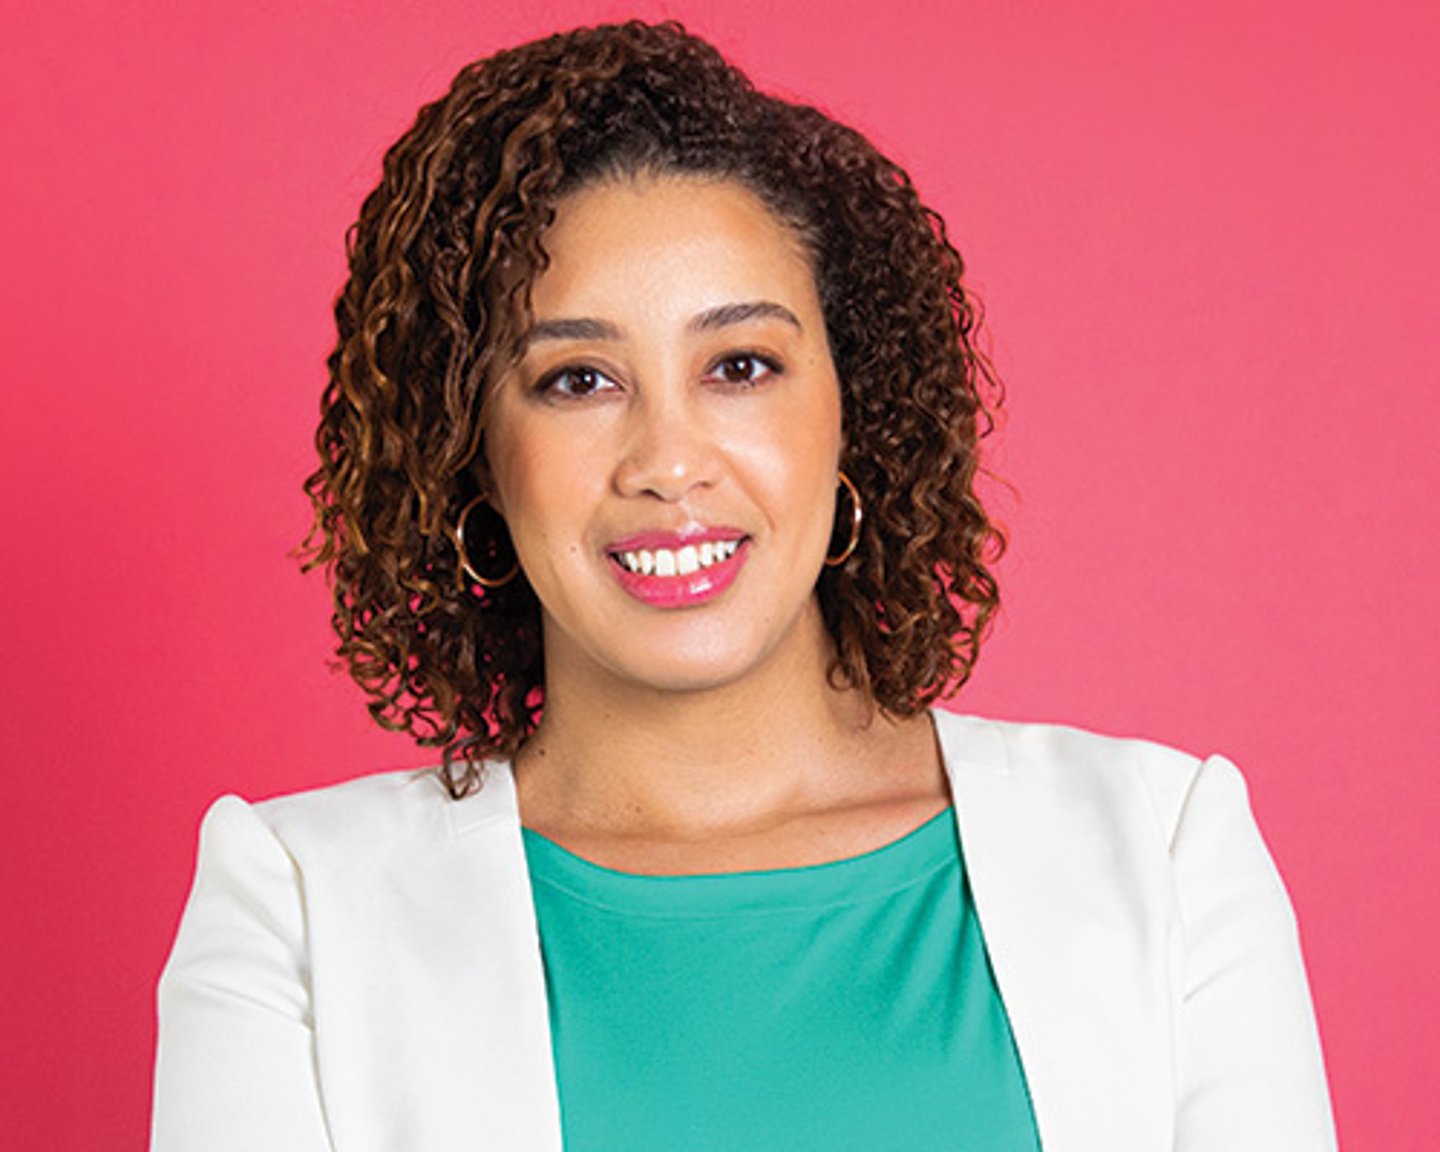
<point>679,377</point>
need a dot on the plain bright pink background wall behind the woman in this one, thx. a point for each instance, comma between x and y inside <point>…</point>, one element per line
<point>1207,238</point>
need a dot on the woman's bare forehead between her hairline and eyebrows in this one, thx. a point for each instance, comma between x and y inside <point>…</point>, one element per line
<point>702,238</point>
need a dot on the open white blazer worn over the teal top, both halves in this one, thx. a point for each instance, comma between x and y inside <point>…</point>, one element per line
<point>359,970</point>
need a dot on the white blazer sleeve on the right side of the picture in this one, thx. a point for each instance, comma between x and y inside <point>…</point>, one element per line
<point>1249,1055</point>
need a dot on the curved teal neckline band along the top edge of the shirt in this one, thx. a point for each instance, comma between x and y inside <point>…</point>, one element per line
<point>872,875</point>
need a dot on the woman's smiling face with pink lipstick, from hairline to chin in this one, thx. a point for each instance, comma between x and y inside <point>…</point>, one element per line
<point>666,453</point>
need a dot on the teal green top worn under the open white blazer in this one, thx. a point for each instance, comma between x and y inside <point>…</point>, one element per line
<point>847,1006</point>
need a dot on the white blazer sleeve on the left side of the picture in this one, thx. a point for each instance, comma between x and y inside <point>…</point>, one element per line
<point>237,1059</point>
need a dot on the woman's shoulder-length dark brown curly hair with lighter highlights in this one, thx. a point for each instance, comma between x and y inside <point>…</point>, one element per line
<point>437,305</point>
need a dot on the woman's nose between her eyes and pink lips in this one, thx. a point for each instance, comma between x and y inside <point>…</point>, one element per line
<point>669,450</point>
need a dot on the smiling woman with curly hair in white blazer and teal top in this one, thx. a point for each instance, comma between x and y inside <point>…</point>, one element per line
<point>647,493</point>
